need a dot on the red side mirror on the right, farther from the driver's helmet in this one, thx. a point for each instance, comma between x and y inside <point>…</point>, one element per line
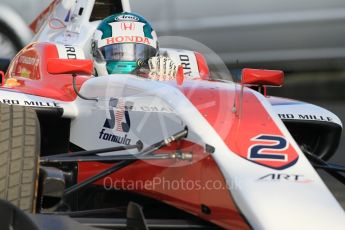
<point>261,77</point>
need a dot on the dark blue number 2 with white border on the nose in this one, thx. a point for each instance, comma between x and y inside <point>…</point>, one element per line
<point>272,150</point>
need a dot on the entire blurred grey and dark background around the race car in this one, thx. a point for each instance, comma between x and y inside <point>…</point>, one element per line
<point>305,38</point>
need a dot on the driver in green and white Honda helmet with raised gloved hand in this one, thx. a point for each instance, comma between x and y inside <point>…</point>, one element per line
<point>125,43</point>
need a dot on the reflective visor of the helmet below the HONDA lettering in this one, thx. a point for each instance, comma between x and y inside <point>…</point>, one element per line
<point>127,52</point>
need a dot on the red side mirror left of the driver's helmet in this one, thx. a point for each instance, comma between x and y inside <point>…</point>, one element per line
<point>70,66</point>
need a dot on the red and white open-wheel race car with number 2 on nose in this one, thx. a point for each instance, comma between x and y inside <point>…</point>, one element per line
<point>124,151</point>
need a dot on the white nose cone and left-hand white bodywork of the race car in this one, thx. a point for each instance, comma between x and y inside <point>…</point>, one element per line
<point>268,198</point>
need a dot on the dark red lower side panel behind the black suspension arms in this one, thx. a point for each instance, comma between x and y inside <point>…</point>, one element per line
<point>184,185</point>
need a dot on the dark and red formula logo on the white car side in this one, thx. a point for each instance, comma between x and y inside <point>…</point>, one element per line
<point>118,124</point>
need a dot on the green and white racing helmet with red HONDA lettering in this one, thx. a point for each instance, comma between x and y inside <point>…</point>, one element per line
<point>122,43</point>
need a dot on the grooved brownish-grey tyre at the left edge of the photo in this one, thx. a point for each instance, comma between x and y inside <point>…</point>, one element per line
<point>19,156</point>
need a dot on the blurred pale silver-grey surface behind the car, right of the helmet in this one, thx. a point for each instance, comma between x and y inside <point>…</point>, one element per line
<point>294,34</point>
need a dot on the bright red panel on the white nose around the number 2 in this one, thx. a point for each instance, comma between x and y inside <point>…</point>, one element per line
<point>239,128</point>
